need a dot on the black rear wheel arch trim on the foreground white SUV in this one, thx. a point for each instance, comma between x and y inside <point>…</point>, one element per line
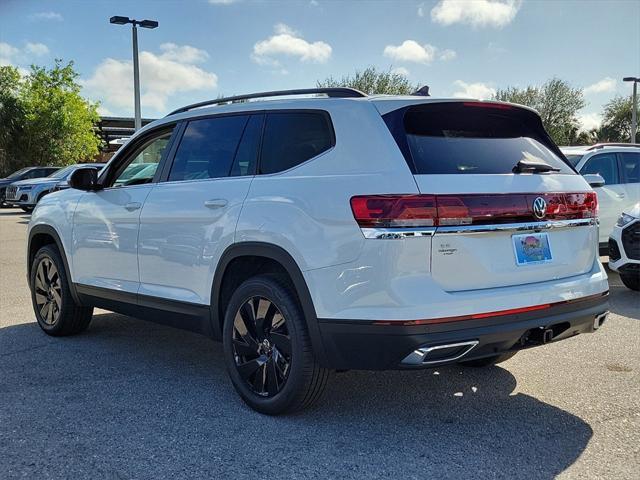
<point>271,253</point>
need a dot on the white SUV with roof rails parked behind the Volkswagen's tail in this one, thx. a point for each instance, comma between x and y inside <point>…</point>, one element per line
<point>619,165</point>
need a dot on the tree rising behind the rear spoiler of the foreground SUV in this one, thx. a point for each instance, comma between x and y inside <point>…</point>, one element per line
<point>557,103</point>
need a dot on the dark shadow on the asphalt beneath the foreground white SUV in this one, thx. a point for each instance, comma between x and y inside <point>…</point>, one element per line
<point>131,399</point>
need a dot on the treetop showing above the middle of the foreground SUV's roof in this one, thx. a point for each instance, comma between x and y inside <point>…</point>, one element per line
<point>373,81</point>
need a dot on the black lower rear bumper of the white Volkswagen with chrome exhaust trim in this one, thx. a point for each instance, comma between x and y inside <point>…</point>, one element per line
<point>353,344</point>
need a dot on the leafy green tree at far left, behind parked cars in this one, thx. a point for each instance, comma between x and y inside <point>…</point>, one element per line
<point>52,123</point>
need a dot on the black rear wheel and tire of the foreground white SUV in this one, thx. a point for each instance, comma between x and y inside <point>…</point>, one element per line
<point>265,333</point>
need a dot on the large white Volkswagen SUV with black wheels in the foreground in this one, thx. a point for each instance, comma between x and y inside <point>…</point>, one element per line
<point>338,231</point>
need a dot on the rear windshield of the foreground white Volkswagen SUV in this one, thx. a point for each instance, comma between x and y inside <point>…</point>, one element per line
<point>448,138</point>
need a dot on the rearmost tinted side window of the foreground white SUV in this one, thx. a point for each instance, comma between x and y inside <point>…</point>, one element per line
<point>291,138</point>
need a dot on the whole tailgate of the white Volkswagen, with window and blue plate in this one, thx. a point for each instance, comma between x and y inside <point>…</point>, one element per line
<point>489,233</point>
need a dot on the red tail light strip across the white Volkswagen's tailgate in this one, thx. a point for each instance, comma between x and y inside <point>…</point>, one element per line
<point>473,209</point>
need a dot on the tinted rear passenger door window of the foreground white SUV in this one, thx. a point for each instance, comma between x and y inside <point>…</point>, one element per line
<point>207,148</point>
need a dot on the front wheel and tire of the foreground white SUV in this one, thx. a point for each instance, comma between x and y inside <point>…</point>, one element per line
<point>50,286</point>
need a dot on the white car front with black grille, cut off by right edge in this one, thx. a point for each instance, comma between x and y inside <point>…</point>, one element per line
<point>624,248</point>
